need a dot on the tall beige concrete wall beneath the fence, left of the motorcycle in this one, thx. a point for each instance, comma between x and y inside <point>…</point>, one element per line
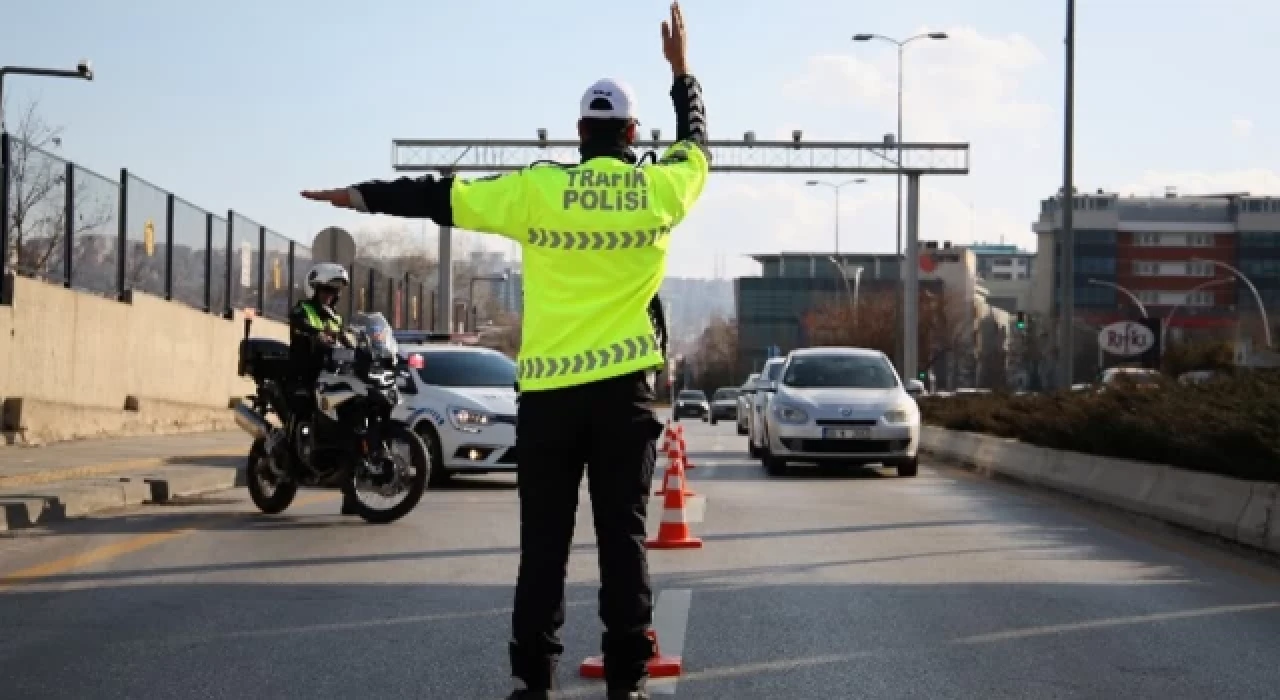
<point>76,365</point>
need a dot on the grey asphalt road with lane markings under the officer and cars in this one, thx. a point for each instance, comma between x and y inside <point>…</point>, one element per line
<point>820,585</point>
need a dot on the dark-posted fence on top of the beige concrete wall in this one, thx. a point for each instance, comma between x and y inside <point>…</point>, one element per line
<point>68,226</point>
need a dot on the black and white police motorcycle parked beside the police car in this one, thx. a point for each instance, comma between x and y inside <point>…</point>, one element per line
<point>350,442</point>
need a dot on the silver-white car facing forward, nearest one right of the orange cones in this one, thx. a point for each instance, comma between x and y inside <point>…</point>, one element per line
<point>842,406</point>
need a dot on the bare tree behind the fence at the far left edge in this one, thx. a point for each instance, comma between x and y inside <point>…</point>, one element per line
<point>38,203</point>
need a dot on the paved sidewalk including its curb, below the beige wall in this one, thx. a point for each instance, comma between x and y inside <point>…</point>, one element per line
<point>70,481</point>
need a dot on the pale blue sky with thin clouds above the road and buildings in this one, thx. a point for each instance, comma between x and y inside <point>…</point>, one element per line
<point>240,106</point>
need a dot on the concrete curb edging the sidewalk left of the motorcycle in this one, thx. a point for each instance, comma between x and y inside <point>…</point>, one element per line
<point>84,497</point>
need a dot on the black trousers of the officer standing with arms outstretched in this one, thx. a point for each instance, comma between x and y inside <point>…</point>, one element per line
<point>609,431</point>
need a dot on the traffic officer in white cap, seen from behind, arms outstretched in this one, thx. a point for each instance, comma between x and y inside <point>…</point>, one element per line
<point>595,239</point>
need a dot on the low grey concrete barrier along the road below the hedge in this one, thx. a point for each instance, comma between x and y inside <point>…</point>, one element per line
<point>1241,511</point>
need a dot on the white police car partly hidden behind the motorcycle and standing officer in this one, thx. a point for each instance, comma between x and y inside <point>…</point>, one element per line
<point>463,402</point>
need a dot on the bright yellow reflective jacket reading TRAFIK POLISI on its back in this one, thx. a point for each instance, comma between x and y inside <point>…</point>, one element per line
<point>595,240</point>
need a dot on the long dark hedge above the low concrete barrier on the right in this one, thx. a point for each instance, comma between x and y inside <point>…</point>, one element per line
<point>1228,427</point>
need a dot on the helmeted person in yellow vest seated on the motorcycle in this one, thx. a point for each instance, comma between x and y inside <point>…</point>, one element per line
<point>314,330</point>
